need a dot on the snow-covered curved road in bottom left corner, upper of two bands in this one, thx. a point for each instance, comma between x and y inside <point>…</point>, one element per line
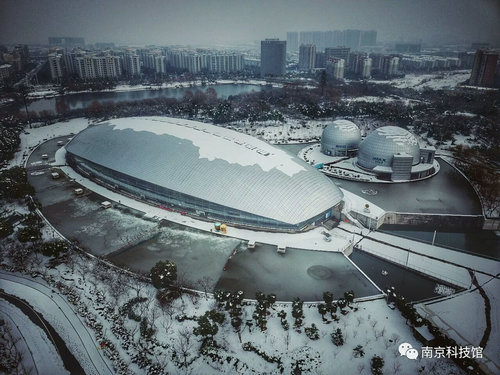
<point>59,314</point>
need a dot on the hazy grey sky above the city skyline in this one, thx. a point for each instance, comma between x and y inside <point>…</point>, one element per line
<point>224,21</point>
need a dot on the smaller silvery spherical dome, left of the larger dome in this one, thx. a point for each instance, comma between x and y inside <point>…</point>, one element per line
<point>340,137</point>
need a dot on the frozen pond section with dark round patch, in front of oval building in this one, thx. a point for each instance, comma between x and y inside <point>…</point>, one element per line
<point>298,273</point>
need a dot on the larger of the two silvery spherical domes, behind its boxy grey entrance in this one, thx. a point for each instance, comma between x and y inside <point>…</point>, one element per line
<point>380,147</point>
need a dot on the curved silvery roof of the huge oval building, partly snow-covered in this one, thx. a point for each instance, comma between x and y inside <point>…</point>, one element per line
<point>211,163</point>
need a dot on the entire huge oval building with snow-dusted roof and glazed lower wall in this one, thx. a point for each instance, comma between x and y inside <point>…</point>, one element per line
<point>205,170</point>
